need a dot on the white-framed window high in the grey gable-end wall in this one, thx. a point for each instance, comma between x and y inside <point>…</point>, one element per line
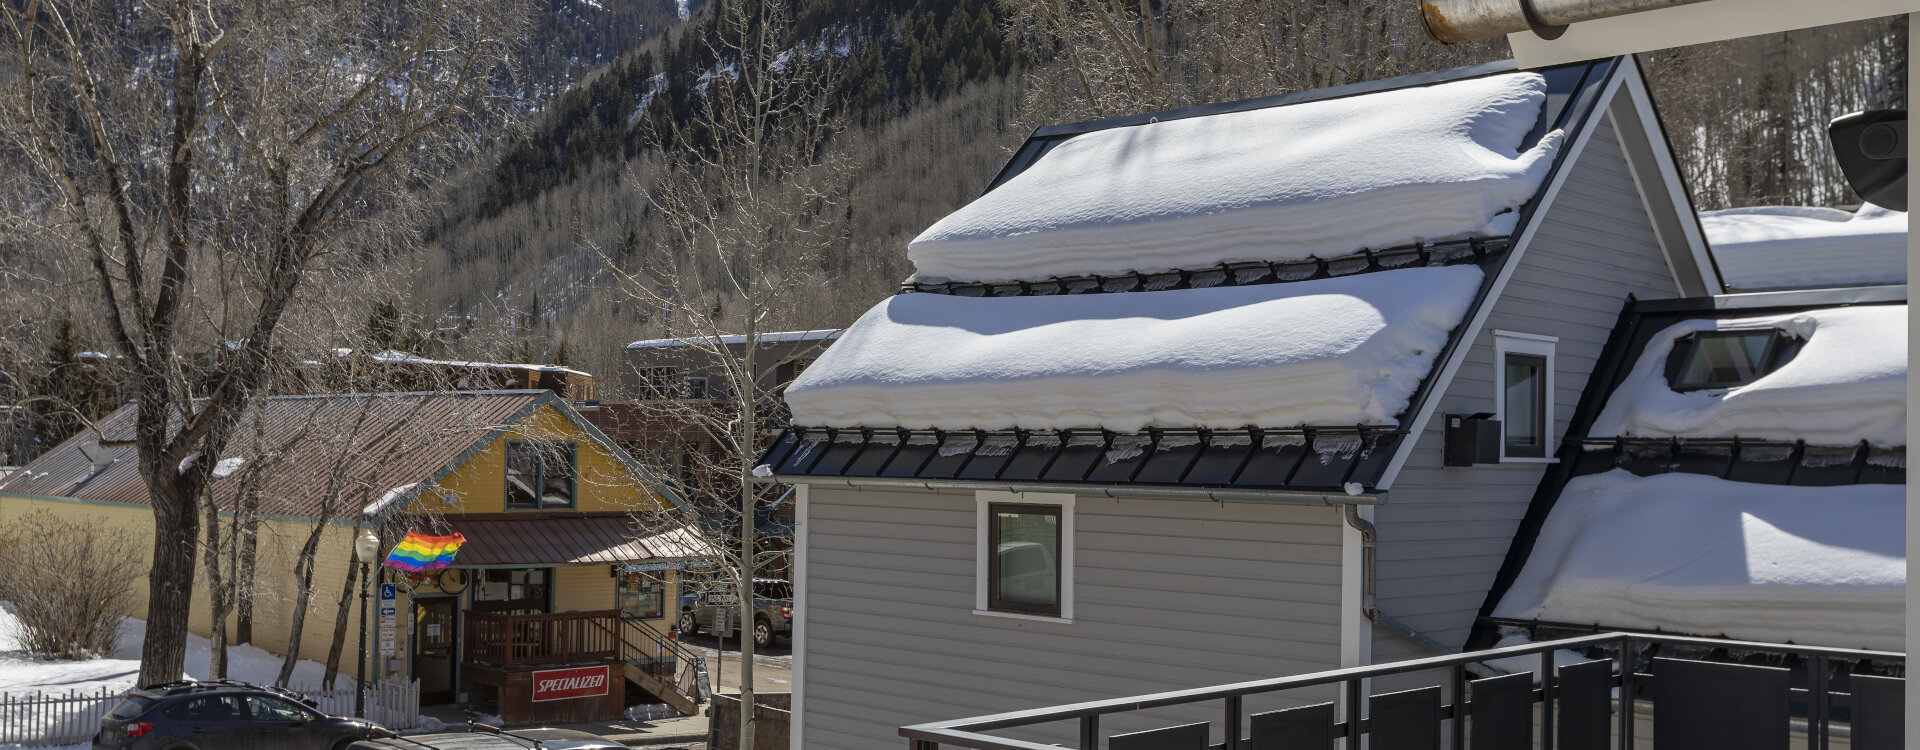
<point>1524,396</point>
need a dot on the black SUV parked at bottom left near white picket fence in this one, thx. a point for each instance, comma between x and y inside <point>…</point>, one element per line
<point>226,716</point>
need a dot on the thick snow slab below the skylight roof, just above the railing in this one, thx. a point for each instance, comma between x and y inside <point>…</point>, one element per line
<point>1702,555</point>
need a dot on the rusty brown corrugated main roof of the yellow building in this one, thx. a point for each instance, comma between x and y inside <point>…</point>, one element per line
<point>368,444</point>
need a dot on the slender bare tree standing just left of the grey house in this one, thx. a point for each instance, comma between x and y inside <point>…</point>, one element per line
<point>748,199</point>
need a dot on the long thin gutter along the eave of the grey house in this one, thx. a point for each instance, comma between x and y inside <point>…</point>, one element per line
<point>1092,490</point>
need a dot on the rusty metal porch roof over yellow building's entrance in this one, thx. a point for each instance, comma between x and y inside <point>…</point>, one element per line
<point>565,540</point>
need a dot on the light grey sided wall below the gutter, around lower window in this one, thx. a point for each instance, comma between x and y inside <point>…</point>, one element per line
<point>1166,596</point>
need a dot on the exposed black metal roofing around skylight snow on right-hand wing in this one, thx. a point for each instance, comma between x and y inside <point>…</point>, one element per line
<point>1754,461</point>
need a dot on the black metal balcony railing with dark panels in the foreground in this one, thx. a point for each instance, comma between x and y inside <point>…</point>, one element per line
<point>1691,701</point>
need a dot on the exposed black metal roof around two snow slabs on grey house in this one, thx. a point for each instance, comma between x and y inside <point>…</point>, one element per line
<point>1239,459</point>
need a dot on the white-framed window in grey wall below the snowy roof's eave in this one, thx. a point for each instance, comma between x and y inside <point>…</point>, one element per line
<point>1024,555</point>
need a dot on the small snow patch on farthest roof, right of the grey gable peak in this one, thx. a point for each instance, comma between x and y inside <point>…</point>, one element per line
<point>1792,246</point>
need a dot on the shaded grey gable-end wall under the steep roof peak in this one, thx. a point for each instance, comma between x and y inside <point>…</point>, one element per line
<point>1445,532</point>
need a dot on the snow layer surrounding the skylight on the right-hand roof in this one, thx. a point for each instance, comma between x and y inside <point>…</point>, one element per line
<point>1846,385</point>
